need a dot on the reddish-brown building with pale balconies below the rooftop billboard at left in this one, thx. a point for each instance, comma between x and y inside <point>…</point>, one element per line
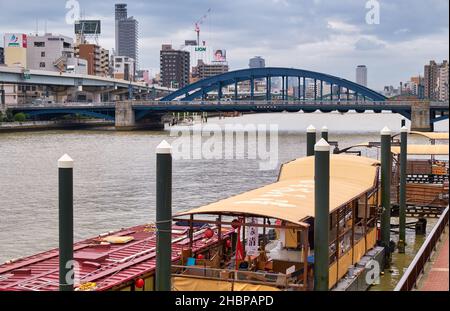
<point>97,58</point>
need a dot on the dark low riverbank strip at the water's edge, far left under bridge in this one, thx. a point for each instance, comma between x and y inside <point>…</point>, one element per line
<point>8,127</point>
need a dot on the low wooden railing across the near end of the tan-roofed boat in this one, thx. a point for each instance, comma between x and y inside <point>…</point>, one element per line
<point>278,280</point>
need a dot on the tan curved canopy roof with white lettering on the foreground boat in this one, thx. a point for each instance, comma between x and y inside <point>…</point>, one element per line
<point>292,197</point>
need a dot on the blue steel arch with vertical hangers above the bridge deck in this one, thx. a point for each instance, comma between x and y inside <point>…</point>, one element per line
<point>320,81</point>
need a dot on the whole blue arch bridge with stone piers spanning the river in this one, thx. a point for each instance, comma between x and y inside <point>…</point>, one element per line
<point>313,91</point>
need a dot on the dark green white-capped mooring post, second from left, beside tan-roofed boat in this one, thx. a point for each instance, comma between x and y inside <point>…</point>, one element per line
<point>163,216</point>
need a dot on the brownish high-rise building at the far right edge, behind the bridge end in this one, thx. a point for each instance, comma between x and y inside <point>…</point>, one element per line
<point>436,80</point>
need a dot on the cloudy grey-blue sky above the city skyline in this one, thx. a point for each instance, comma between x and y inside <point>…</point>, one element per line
<point>323,35</point>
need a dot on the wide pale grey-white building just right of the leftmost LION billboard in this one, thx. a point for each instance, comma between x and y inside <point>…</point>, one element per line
<point>53,53</point>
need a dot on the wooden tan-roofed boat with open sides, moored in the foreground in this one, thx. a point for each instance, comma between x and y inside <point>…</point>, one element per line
<point>272,247</point>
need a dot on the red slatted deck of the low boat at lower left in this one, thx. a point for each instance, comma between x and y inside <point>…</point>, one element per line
<point>108,266</point>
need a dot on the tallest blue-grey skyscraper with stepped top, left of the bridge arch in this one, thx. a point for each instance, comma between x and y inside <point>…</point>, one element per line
<point>127,34</point>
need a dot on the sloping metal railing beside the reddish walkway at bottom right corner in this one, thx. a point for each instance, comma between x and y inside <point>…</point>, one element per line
<point>417,266</point>
